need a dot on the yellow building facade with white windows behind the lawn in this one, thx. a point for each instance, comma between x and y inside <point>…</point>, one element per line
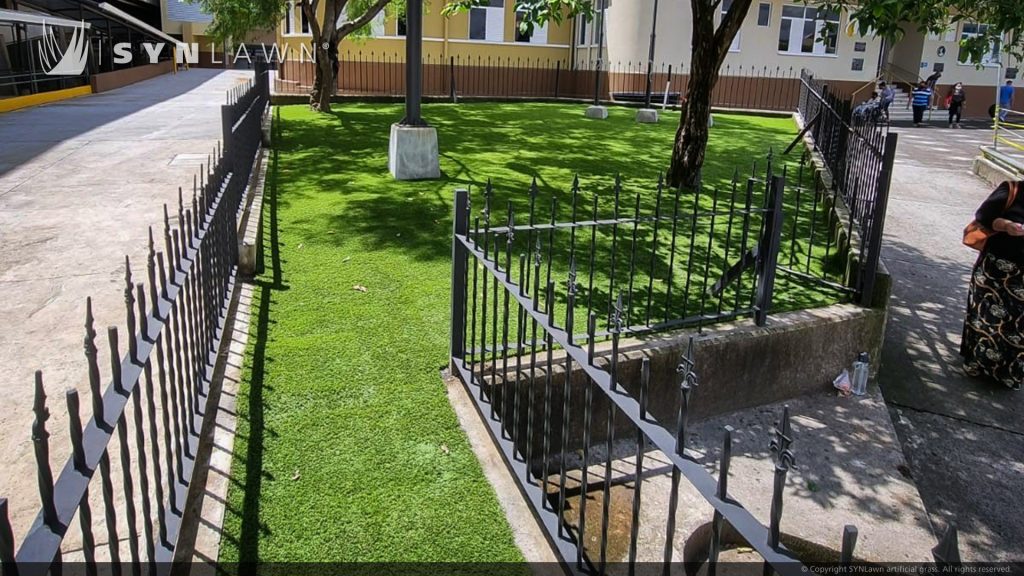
<point>488,32</point>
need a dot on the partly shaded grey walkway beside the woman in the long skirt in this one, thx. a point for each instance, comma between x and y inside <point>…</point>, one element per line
<point>964,439</point>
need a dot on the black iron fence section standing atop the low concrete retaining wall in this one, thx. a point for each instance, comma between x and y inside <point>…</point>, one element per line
<point>686,260</point>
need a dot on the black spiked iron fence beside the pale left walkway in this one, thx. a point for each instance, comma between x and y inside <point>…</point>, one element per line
<point>156,402</point>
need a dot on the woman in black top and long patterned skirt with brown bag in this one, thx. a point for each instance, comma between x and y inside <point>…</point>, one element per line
<point>994,333</point>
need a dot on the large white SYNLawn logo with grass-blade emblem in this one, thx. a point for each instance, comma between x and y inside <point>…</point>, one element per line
<point>72,61</point>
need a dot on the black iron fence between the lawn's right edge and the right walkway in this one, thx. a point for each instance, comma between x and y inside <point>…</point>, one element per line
<point>859,156</point>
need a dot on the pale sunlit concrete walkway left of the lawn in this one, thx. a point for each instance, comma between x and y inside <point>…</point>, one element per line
<point>80,183</point>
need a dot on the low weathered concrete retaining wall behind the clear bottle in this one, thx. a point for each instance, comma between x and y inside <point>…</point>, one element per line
<point>740,365</point>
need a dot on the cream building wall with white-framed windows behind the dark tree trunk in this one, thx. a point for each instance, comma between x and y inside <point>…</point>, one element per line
<point>629,37</point>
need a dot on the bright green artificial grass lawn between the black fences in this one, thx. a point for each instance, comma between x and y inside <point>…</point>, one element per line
<point>348,448</point>
